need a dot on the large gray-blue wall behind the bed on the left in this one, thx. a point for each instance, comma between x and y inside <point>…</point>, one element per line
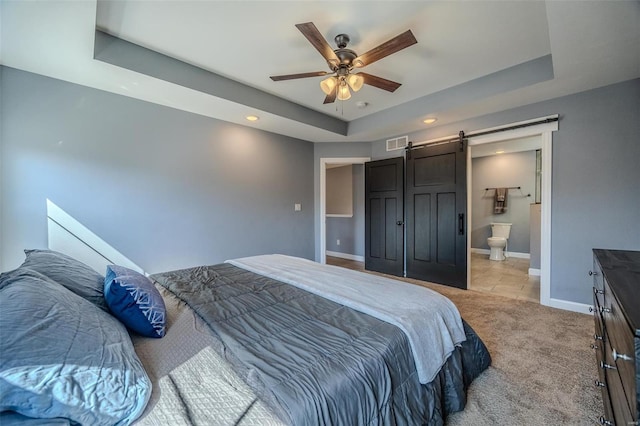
<point>167,188</point>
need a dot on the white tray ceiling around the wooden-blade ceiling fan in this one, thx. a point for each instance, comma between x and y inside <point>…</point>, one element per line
<point>591,43</point>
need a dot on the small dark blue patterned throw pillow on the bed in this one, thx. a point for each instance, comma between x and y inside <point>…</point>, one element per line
<point>135,301</point>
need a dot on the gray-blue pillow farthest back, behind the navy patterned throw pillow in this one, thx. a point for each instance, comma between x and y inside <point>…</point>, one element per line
<point>69,272</point>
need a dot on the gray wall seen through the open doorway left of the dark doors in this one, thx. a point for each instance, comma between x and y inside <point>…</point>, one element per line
<point>349,230</point>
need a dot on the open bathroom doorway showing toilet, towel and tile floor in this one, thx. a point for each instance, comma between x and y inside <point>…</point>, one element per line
<point>509,267</point>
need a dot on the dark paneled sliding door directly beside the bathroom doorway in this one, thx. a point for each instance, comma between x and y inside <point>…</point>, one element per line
<point>436,208</point>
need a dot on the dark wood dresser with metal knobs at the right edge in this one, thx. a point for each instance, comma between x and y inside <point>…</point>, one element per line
<point>616,311</point>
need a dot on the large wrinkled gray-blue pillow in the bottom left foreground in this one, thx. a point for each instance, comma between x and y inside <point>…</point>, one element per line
<point>63,358</point>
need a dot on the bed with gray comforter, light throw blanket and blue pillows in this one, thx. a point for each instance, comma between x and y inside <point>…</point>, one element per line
<point>253,341</point>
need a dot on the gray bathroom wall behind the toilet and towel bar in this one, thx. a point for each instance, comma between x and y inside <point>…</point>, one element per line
<point>504,170</point>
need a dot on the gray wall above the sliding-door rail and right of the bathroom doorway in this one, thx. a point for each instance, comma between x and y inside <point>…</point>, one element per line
<point>595,175</point>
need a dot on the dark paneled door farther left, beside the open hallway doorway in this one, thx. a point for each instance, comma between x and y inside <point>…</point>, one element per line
<point>384,210</point>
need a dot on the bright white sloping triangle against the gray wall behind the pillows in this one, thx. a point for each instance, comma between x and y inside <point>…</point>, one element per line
<point>70,237</point>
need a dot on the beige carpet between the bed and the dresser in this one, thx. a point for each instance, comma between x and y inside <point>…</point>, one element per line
<point>543,368</point>
